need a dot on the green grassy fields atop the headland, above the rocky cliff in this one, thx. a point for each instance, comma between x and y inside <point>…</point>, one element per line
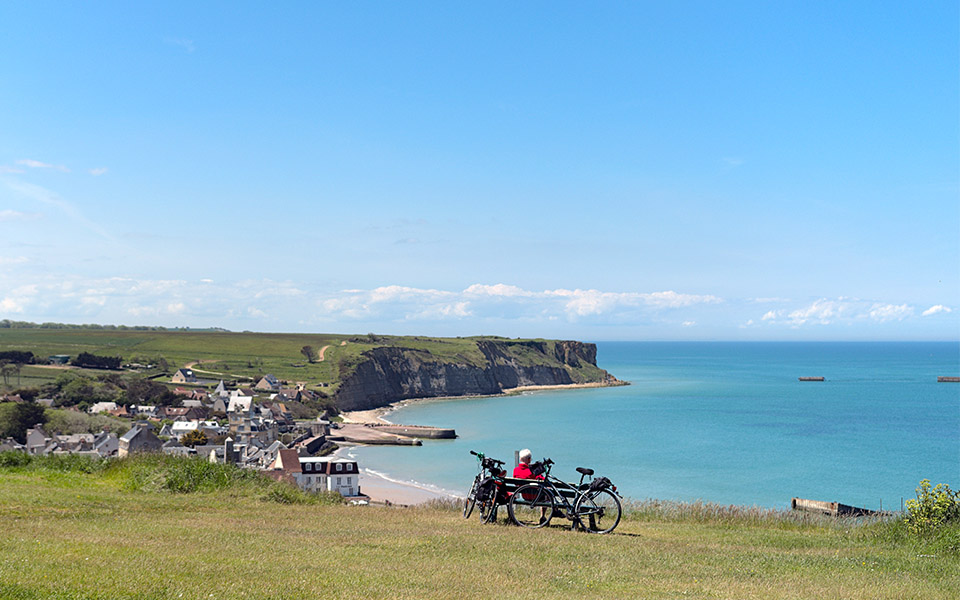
<point>247,356</point>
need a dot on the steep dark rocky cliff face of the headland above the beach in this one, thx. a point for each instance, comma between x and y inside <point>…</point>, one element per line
<point>389,374</point>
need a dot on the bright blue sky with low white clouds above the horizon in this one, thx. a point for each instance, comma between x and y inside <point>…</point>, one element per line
<point>602,171</point>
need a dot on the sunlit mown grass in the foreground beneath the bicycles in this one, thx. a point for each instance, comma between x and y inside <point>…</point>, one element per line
<point>68,533</point>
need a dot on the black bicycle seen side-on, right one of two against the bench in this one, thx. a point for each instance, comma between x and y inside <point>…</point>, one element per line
<point>592,505</point>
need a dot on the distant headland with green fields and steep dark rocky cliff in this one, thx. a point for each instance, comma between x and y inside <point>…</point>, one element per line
<point>344,372</point>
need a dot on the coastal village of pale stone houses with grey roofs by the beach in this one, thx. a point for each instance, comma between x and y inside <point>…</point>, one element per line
<point>249,427</point>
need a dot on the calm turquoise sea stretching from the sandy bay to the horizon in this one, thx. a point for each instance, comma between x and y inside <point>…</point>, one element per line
<point>721,422</point>
